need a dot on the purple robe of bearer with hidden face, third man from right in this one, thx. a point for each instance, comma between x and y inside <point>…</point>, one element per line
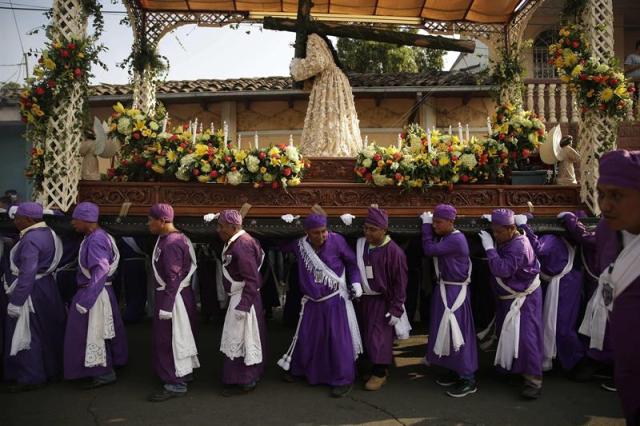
<point>553,256</point>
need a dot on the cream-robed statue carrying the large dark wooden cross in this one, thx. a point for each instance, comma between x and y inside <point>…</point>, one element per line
<point>331,127</point>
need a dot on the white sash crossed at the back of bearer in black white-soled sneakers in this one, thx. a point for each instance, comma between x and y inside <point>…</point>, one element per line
<point>449,330</point>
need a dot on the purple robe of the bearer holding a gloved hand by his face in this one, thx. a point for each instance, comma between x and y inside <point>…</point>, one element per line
<point>516,264</point>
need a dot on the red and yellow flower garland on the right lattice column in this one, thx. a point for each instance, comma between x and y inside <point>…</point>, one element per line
<point>599,86</point>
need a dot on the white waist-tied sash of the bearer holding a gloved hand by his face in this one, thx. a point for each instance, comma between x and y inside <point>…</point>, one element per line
<point>509,342</point>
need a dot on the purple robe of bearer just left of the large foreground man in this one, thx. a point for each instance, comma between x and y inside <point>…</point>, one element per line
<point>607,244</point>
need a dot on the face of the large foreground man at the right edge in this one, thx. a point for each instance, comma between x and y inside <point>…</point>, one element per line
<point>620,207</point>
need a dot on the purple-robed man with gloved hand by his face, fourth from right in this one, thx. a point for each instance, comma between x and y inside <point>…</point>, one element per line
<point>514,269</point>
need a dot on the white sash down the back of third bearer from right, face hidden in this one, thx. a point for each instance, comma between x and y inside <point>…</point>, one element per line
<point>550,309</point>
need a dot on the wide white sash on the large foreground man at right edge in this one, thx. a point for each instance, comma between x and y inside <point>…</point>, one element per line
<point>611,283</point>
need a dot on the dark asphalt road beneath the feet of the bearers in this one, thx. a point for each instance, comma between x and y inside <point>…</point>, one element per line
<point>410,397</point>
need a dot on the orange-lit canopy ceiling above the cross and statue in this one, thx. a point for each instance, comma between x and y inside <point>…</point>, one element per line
<point>392,11</point>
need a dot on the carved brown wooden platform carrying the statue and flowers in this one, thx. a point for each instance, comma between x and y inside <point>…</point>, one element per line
<point>330,184</point>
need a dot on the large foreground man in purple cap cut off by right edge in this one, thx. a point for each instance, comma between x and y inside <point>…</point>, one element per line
<point>619,200</point>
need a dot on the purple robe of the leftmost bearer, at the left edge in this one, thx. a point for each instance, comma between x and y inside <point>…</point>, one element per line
<point>44,358</point>
